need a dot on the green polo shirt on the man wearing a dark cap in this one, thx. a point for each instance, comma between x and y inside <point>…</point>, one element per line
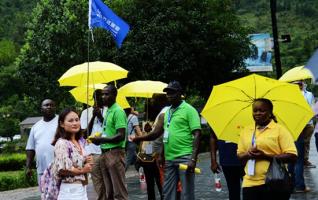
<point>184,119</point>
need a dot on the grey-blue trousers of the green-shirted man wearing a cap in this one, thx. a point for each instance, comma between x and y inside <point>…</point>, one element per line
<point>173,175</point>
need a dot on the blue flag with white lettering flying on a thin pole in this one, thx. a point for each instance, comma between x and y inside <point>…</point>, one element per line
<point>101,16</point>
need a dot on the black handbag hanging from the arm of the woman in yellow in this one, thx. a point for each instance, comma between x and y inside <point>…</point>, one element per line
<point>278,178</point>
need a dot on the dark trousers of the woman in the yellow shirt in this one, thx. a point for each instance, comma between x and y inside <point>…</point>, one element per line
<point>262,193</point>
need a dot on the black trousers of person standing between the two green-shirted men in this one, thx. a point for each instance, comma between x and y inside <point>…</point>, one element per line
<point>152,176</point>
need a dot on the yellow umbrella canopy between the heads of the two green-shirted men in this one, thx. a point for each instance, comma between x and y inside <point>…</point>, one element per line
<point>142,89</point>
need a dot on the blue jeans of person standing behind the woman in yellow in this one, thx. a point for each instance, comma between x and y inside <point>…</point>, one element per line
<point>297,170</point>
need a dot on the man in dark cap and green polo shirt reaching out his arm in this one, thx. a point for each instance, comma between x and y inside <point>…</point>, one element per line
<point>181,131</point>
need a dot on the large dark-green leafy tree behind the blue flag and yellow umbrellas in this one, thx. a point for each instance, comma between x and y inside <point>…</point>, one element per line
<point>199,43</point>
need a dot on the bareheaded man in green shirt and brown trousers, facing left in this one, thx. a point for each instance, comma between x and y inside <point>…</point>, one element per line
<point>113,140</point>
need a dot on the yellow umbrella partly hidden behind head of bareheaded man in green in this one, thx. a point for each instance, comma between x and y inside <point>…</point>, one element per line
<point>80,95</point>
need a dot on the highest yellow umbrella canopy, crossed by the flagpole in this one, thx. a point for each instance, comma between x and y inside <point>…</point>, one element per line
<point>98,72</point>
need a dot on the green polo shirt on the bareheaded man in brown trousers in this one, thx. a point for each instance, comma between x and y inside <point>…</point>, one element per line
<point>114,119</point>
